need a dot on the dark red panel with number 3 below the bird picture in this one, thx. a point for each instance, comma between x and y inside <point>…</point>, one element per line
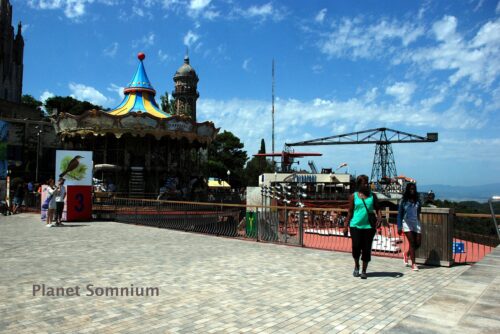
<point>79,203</point>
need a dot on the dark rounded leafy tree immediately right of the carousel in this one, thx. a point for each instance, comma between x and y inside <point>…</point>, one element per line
<point>226,154</point>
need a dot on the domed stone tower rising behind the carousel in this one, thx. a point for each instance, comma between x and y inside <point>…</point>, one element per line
<point>185,93</point>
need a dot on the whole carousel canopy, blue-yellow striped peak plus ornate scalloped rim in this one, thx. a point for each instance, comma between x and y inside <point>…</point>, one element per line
<point>137,115</point>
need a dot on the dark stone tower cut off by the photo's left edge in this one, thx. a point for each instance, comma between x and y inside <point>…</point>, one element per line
<point>11,56</point>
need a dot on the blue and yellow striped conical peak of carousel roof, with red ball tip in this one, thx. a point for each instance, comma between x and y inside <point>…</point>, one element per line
<point>139,95</point>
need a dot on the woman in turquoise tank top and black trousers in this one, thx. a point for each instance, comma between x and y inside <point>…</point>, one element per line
<point>361,204</point>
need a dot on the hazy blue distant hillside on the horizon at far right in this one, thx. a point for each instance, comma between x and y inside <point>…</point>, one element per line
<point>462,193</point>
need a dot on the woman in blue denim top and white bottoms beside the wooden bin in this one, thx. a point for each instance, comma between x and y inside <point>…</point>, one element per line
<point>409,223</point>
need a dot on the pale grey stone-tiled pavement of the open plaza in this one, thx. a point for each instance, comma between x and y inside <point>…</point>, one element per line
<point>206,284</point>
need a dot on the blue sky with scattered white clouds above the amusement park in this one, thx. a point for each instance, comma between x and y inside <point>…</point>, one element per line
<point>340,67</point>
